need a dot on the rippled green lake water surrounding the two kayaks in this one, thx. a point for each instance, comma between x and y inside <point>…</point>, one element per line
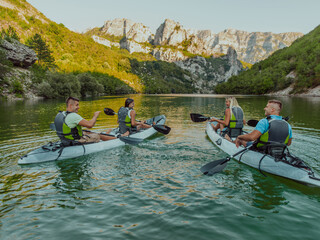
<point>154,190</point>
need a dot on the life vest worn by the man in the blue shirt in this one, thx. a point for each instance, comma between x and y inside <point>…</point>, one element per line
<point>278,132</point>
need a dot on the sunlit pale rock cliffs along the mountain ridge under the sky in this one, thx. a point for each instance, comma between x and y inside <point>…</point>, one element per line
<point>250,47</point>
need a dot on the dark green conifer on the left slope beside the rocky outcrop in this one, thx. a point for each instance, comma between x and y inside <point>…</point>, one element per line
<point>44,54</point>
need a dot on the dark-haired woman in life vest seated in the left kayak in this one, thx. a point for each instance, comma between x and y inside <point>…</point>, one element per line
<point>127,118</point>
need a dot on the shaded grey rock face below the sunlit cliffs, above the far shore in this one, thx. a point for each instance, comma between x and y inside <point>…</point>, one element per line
<point>211,71</point>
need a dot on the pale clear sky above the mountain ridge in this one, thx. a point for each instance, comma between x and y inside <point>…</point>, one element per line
<point>275,16</point>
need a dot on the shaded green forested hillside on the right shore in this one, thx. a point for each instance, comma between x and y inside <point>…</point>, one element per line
<point>297,66</point>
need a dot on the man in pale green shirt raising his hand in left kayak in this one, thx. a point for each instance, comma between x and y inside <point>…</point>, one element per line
<point>69,125</point>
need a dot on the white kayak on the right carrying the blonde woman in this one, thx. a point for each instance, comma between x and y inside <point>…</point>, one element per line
<point>266,163</point>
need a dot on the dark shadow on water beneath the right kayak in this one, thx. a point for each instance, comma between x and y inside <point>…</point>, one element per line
<point>266,191</point>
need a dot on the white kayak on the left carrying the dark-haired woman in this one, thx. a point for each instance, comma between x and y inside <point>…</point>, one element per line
<point>55,151</point>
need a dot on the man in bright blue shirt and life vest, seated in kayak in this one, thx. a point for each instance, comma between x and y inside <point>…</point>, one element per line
<point>273,128</point>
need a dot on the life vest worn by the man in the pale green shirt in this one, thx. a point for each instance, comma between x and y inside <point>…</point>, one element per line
<point>64,132</point>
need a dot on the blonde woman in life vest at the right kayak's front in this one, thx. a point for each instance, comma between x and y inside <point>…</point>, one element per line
<point>232,123</point>
